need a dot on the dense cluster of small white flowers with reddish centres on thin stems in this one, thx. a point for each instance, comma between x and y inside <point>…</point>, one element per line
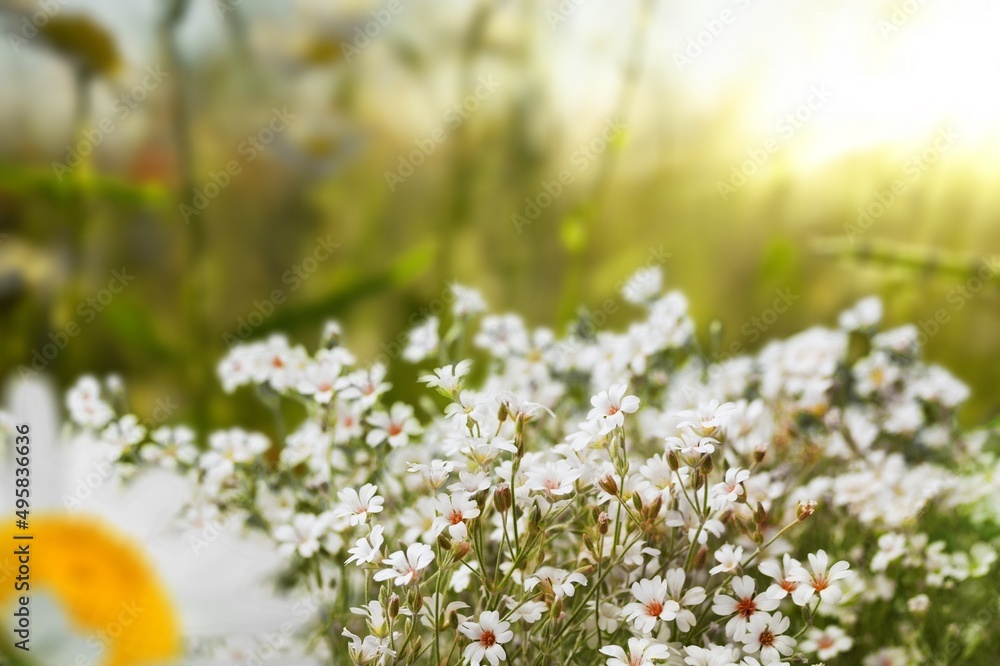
<point>613,497</point>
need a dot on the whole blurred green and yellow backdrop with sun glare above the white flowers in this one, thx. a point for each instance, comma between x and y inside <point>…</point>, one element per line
<point>539,151</point>
